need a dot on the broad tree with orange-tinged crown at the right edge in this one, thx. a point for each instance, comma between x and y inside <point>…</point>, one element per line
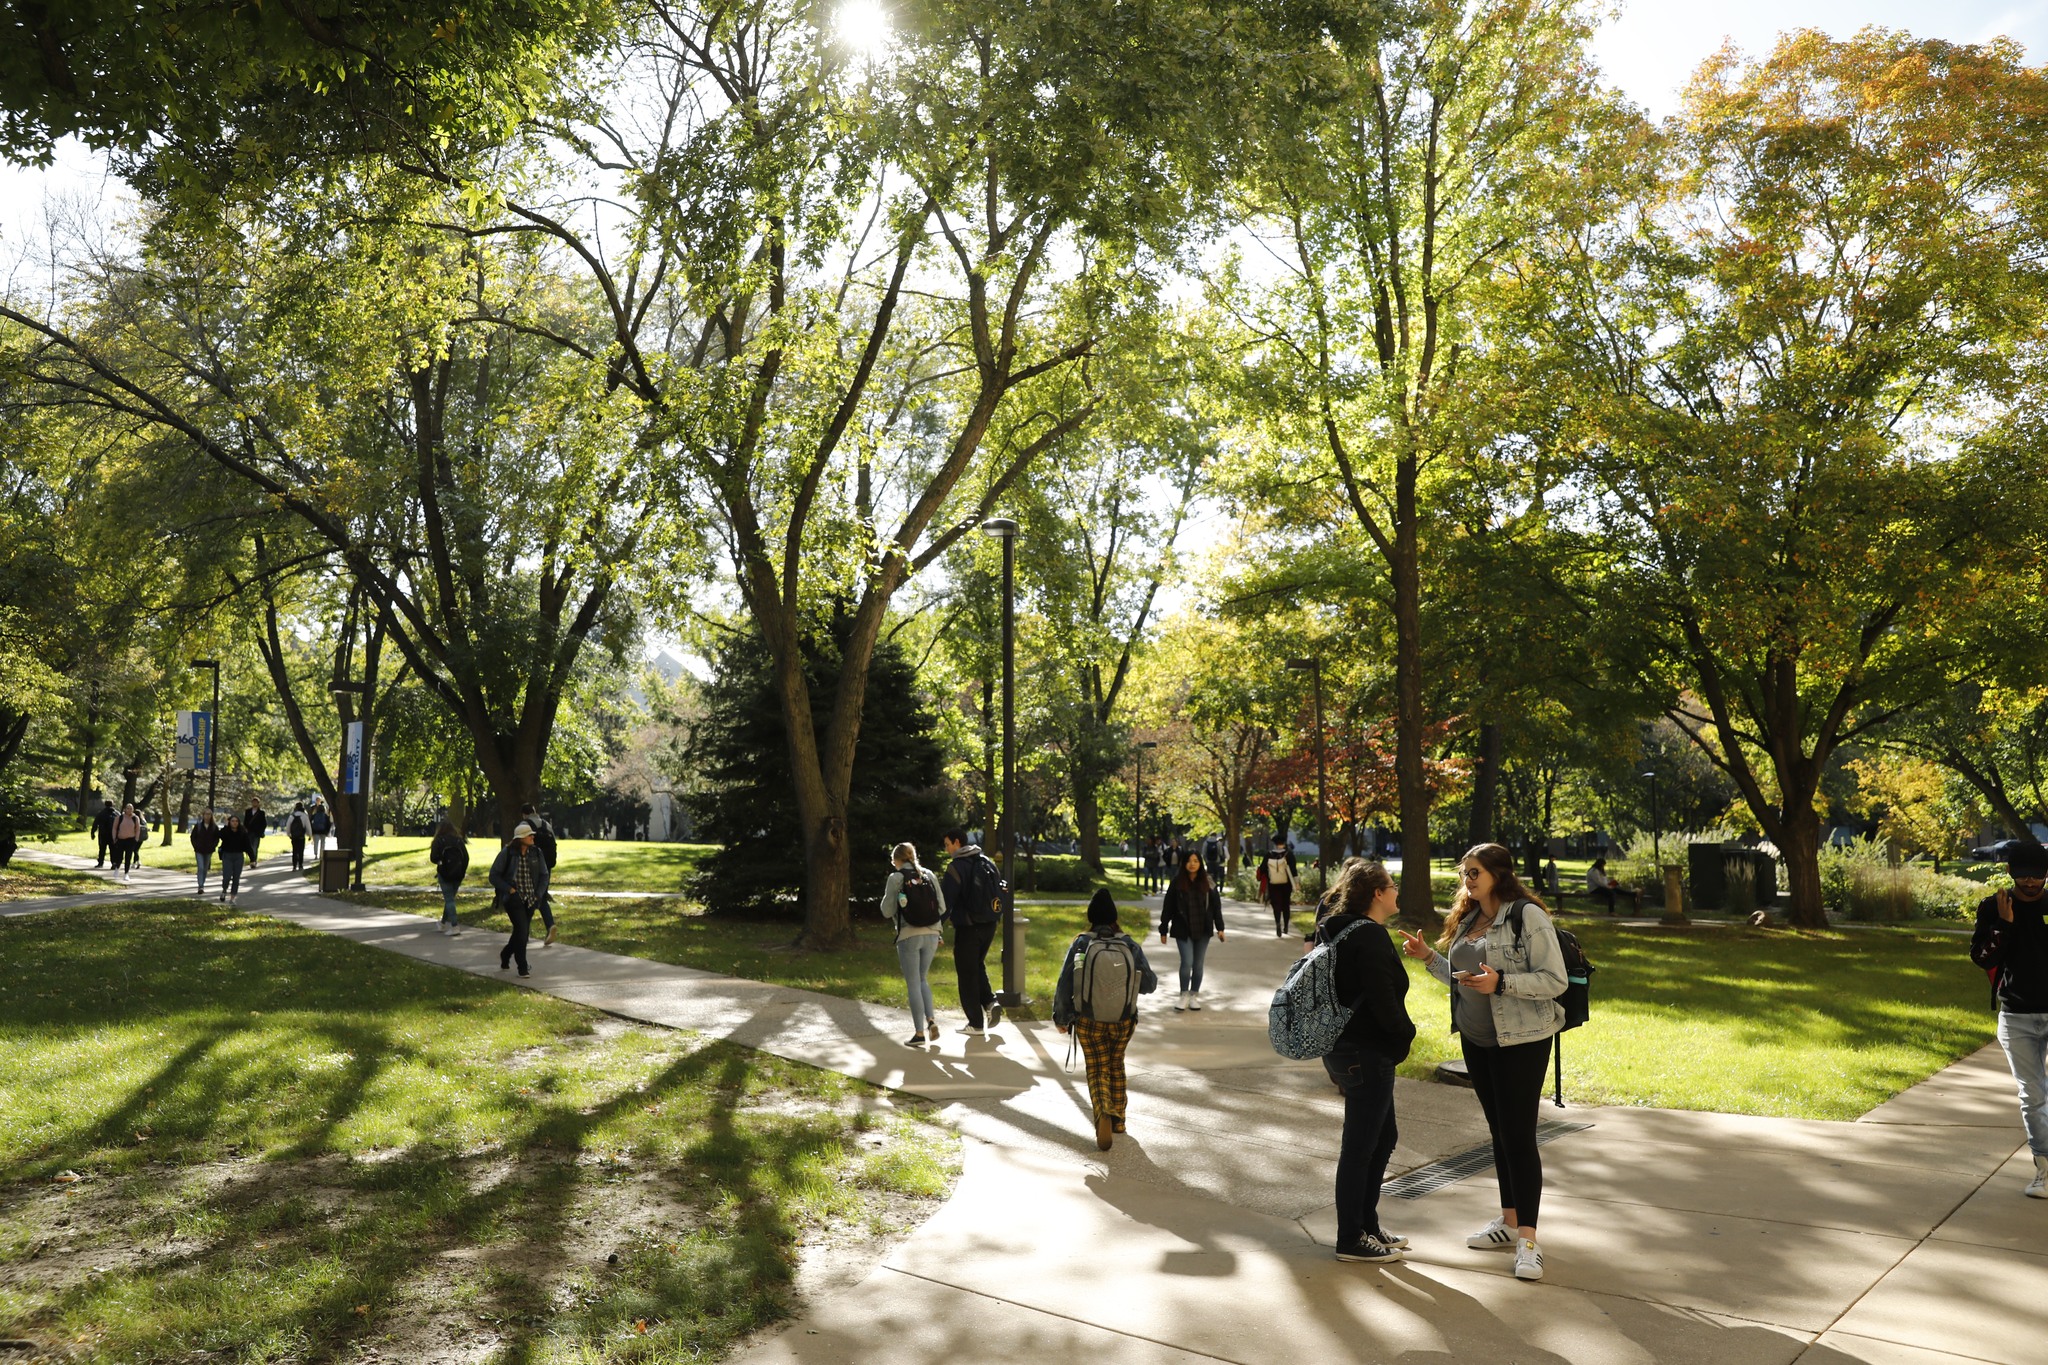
<point>1797,363</point>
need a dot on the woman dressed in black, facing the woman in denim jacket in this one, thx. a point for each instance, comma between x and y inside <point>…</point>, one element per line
<point>1373,1043</point>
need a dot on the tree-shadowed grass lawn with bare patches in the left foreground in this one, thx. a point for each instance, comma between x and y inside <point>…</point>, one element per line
<point>298,1149</point>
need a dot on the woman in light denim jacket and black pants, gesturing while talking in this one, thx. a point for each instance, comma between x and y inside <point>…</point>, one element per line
<point>1506,971</point>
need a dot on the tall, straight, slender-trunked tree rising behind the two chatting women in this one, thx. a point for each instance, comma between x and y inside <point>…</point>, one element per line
<point>1390,208</point>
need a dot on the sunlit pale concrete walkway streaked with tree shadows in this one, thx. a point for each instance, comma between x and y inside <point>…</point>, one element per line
<point>1203,1237</point>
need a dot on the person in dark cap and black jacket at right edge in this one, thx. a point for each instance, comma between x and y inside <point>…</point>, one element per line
<point>2012,944</point>
